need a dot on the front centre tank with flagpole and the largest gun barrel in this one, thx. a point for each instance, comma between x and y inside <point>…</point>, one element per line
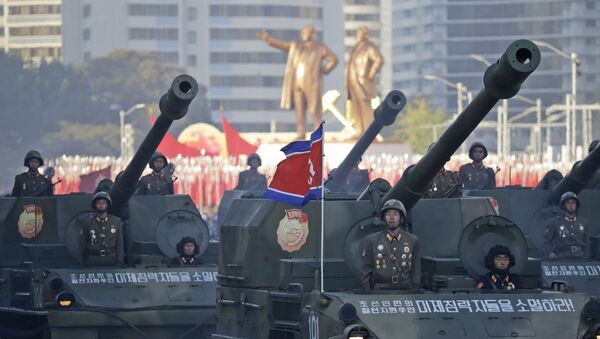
<point>275,286</point>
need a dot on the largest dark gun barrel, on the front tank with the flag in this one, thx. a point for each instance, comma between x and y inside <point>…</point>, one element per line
<point>502,80</point>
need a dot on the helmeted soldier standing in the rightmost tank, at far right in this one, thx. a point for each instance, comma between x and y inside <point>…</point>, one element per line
<point>566,235</point>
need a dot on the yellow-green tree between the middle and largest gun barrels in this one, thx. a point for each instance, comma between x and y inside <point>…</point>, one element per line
<point>414,126</point>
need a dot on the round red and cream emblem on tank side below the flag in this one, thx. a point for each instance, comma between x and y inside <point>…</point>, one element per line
<point>293,230</point>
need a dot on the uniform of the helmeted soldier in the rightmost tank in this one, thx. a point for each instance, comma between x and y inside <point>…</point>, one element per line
<point>567,237</point>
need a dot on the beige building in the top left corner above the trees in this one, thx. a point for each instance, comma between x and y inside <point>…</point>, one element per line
<point>31,29</point>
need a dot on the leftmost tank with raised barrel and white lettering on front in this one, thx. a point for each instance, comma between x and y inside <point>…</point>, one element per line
<point>45,289</point>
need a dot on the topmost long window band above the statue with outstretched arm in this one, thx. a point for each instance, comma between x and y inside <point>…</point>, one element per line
<point>267,10</point>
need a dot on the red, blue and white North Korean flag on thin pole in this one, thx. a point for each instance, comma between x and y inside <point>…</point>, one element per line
<point>298,177</point>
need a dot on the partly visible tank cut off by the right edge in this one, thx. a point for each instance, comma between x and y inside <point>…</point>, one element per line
<point>532,210</point>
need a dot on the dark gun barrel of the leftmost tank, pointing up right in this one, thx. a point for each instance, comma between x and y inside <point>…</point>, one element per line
<point>173,106</point>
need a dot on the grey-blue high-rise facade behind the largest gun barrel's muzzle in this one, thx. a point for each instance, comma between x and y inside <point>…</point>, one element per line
<point>433,37</point>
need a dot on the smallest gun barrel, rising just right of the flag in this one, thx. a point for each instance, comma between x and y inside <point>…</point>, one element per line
<point>385,115</point>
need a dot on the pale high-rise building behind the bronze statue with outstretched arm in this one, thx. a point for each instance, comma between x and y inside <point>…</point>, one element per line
<point>213,40</point>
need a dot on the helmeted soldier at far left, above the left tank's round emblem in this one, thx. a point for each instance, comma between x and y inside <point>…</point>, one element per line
<point>32,183</point>
